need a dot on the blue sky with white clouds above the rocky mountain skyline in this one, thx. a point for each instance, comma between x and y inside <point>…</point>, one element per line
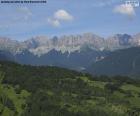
<point>65,17</point>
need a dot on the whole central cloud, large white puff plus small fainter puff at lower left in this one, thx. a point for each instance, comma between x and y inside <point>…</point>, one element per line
<point>58,17</point>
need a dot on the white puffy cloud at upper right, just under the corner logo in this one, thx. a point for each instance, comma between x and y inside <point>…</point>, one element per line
<point>125,10</point>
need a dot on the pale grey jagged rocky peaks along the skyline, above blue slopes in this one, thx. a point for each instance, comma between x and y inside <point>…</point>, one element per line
<point>42,44</point>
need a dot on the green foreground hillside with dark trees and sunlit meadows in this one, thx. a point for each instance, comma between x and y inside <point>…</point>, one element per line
<point>51,91</point>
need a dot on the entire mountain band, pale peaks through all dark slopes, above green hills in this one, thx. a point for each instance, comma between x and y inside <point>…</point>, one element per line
<point>114,55</point>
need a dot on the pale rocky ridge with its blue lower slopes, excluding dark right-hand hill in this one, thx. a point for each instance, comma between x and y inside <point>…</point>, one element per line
<point>77,52</point>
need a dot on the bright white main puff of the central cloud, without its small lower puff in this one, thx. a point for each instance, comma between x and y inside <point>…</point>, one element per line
<point>63,15</point>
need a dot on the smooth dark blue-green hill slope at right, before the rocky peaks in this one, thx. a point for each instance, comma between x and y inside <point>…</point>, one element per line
<point>121,62</point>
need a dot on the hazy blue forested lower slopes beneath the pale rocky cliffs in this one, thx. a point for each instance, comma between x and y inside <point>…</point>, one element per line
<point>78,60</point>
